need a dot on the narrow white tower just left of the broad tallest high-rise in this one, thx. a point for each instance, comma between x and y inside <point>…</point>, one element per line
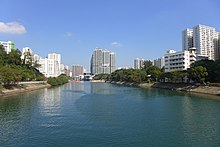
<point>187,39</point>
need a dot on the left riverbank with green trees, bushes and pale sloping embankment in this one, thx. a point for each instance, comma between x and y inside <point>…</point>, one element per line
<point>15,70</point>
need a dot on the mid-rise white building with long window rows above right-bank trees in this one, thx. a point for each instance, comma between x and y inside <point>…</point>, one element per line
<point>179,60</point>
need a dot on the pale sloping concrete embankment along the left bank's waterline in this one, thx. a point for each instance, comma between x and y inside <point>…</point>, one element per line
<point>24,88</point>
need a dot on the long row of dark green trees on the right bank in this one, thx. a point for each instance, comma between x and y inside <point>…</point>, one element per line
<point>200,72</point>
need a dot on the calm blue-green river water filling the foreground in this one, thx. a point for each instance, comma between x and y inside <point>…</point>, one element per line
<point>101,114</point>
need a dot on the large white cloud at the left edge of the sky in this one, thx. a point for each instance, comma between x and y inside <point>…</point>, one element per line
<point>12,28</point>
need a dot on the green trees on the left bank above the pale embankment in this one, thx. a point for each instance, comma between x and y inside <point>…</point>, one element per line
<point>12,70</point>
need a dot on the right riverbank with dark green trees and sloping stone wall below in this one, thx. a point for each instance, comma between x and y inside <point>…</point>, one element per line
<point>202,77</point>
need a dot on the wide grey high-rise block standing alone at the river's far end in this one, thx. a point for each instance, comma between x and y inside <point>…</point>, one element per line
<point>102,61</point>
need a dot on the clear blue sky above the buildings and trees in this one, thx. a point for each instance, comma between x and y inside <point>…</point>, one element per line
<point>131,28</point>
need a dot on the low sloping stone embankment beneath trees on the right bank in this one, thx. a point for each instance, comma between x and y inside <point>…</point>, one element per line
<point>212,90</point>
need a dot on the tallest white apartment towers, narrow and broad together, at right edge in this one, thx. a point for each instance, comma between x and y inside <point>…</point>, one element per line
<point>204,39</point>
